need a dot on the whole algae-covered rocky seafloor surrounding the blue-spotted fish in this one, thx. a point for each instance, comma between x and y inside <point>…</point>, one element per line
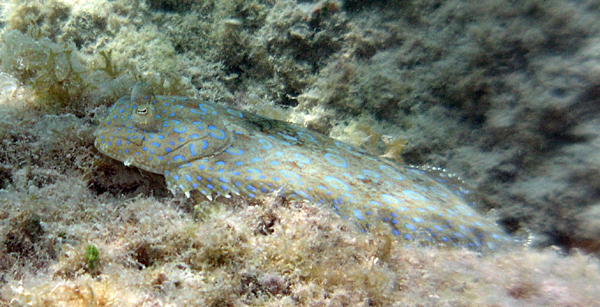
<point>504,93</point>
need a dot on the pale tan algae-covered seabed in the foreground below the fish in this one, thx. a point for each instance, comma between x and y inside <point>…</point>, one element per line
<point>277,254</point>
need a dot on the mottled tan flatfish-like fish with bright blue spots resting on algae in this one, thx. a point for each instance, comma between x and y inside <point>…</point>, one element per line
<point>218,150</point>
